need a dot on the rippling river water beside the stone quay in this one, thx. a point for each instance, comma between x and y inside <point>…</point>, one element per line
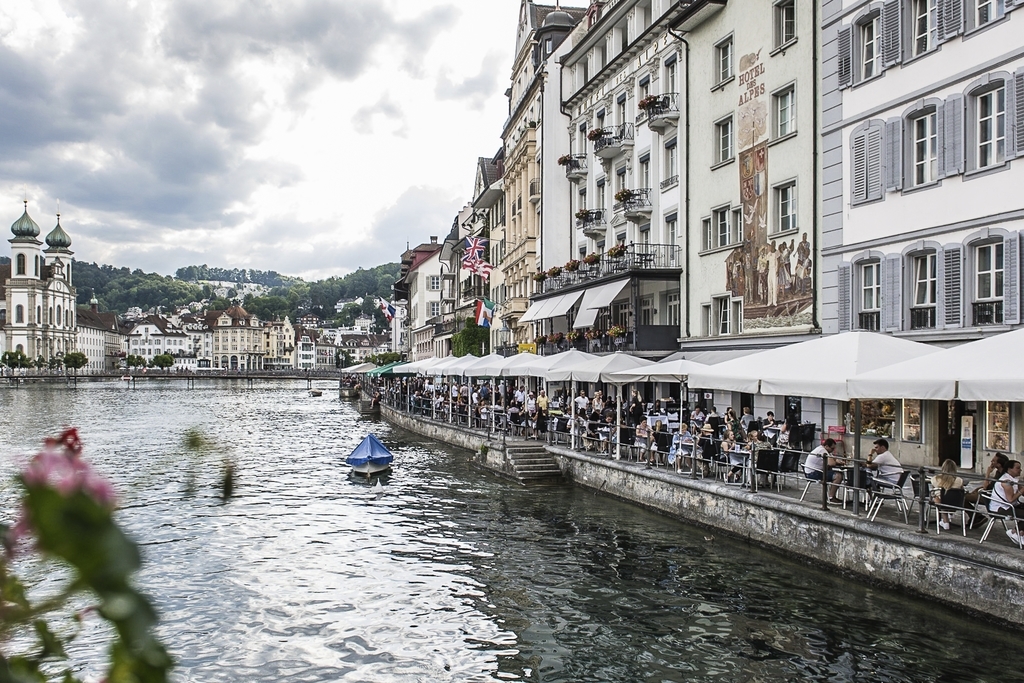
<point>452,574</point>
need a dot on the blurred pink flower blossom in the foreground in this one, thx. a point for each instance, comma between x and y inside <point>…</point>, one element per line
<point>61,467</point>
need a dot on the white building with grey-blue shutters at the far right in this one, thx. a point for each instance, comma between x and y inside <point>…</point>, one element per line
<point>923,132</point>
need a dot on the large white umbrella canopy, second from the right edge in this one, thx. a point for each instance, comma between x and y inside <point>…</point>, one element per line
<point>817,368</point>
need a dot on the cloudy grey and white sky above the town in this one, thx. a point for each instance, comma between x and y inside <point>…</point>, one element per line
<point>305,137</point>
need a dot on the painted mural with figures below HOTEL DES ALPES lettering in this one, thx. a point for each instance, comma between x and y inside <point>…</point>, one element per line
<point>773,276</point>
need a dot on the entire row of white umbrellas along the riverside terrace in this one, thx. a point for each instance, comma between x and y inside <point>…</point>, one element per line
<point>854,365</point>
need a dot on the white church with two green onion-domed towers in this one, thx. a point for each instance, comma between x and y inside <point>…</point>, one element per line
<point>37,312</point>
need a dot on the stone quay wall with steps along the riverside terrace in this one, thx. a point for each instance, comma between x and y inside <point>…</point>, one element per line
<point>986,579</point>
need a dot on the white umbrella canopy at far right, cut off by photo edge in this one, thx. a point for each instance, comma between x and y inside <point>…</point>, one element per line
<point>990,369</point>
